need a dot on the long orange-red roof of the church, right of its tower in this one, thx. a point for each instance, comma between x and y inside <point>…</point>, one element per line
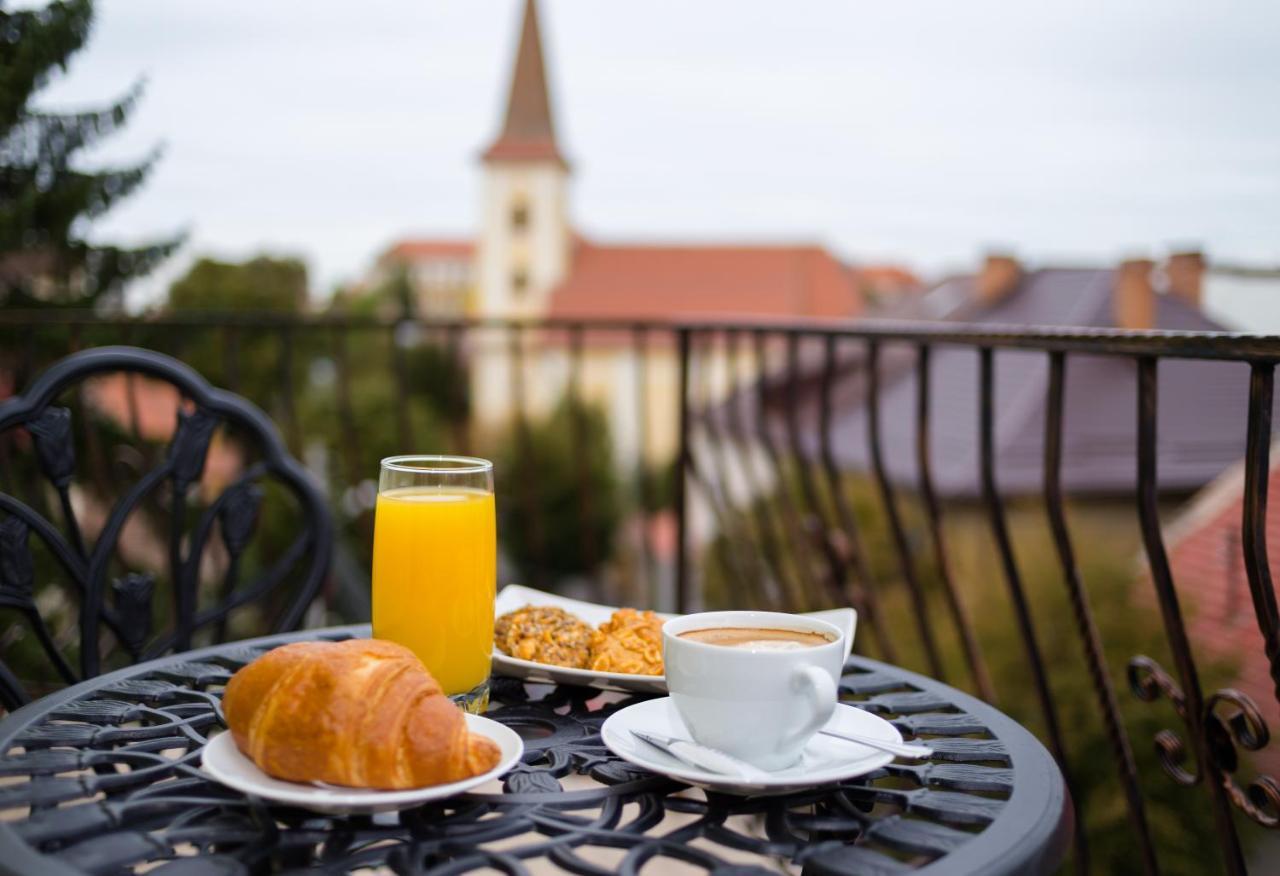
<point>661,282</point>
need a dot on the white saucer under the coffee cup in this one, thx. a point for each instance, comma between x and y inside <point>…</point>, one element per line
<point>825,760</point>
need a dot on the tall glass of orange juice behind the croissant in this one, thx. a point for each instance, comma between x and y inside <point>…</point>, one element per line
<point>436,568</point>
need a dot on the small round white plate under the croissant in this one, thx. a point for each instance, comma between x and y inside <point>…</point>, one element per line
<point>225,764</point>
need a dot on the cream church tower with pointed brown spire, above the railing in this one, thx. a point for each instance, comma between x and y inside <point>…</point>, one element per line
<point>525,240</point>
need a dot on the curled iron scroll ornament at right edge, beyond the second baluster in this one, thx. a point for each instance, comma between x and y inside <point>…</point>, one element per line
<point>1232,719</point>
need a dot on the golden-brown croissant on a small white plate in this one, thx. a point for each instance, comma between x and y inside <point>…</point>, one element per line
<point>364,714</point>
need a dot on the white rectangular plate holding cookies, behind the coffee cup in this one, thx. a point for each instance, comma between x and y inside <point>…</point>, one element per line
<point>514,596</point>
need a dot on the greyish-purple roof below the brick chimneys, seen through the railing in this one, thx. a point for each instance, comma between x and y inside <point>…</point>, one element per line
<point>1201,418</point>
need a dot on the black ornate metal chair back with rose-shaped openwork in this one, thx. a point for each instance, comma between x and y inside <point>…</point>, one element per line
<point>122,605</point>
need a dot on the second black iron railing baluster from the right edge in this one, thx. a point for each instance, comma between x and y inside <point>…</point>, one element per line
<point>1176,632</point>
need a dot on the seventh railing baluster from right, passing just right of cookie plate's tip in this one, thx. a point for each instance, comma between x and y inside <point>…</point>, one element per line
<point>861,592</point>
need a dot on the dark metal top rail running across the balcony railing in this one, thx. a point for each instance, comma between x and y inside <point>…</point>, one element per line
<point>1082,340</point>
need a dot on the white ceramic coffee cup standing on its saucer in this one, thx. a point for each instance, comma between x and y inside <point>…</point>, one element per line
<point>760,705</point>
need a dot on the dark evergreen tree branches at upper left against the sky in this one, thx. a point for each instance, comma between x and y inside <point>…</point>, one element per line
<point>47,197</point>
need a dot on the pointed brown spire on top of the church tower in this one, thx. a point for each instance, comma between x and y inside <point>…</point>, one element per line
<point>528,131</point>
